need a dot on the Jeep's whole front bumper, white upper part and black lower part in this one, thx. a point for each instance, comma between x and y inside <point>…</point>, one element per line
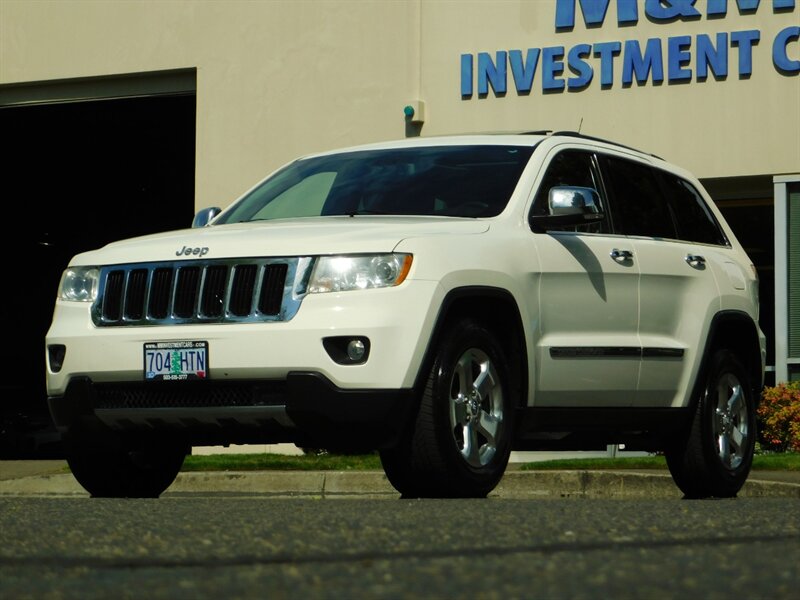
<point>266,382</point>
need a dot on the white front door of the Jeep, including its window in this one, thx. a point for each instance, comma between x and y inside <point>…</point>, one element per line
<point>587,346</point>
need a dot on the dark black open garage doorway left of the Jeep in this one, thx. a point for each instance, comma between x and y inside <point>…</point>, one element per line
<point>76,175</point>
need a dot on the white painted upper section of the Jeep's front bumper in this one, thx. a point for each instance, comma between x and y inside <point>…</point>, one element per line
<point>396,321</point>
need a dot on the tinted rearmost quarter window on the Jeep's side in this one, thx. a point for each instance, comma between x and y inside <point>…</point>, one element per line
<point>696,223</point>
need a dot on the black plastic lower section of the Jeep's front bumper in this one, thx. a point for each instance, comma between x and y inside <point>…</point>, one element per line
<point>305,408</point>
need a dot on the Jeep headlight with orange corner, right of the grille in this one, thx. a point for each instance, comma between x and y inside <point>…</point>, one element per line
<point>358,272</point>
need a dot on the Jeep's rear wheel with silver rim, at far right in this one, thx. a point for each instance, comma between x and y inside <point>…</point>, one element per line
<point>714,459</point>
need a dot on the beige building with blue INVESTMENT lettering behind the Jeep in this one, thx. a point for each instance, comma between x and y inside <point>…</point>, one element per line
<point>125,117</point>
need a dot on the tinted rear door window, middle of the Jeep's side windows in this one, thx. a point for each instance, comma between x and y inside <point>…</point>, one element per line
<point>637,203</point>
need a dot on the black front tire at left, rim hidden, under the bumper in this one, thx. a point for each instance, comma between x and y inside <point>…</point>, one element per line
<point>142,469</point>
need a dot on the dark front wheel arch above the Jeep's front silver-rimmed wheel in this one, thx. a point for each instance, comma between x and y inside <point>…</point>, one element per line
<point>496,309</point>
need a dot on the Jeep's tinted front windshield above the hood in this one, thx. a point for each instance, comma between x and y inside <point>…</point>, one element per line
<point>456,181</point>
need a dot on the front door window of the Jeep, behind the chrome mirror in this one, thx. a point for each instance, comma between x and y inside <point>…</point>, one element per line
<point>573,168</point>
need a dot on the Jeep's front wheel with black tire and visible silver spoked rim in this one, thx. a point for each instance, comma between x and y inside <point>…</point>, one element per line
<point>461,440</point>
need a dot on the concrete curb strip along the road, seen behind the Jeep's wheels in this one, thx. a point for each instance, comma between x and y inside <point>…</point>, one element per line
<point>52,478</point>
